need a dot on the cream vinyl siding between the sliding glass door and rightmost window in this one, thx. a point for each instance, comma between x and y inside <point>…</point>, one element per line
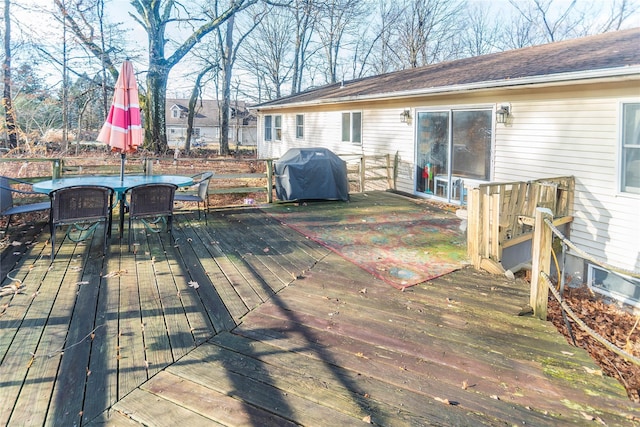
<point>580,137</point>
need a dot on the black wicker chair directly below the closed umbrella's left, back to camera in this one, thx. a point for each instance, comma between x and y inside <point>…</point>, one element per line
<point>82,208</point>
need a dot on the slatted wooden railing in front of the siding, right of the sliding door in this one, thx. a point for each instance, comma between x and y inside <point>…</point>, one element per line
<point>501,215</point>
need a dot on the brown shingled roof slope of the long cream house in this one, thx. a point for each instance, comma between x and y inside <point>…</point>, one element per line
<point>600,52</point>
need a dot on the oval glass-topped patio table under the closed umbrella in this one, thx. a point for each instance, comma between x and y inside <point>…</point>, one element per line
<point>114,181</point>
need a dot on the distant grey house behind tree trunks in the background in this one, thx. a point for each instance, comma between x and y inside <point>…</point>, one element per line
<point>206,124</point>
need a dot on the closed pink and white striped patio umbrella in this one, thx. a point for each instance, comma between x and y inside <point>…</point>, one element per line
<point>123,128</point>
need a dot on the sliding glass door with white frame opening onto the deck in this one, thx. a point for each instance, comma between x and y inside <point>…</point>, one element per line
<point>451,146</point>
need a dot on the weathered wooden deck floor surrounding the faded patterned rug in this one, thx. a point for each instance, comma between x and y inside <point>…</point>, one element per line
<point>245,322</point>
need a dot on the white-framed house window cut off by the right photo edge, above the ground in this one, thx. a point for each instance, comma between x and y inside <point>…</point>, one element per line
<point>630,152</point>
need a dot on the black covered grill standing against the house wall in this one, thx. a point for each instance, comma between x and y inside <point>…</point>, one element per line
<point>311,174</point>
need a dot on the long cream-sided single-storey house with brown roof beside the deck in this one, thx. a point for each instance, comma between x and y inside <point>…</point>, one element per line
<point>570,108</point>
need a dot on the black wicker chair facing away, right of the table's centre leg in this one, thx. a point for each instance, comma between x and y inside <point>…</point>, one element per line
<point>151,203</point>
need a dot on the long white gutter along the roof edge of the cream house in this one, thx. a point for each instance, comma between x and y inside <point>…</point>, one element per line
<point>579,77</point>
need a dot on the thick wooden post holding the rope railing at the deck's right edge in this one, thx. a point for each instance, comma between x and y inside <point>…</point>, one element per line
<point>541,262</point>
